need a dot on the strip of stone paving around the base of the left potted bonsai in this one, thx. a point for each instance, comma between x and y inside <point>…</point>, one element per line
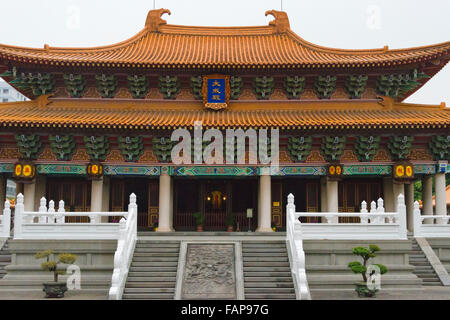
<point>39,295</point>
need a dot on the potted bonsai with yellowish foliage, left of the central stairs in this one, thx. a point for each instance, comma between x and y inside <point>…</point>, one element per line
<point>55,289</point>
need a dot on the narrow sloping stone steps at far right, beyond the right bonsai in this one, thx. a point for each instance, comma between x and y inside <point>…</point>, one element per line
<point>423,268</point>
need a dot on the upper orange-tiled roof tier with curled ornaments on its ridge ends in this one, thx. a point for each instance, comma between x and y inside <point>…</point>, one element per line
<point>272,46</point>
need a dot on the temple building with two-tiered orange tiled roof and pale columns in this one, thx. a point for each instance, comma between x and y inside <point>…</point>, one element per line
<point>99,122</point>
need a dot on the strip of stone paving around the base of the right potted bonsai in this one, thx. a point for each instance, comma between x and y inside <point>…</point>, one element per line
<point>427,293</point>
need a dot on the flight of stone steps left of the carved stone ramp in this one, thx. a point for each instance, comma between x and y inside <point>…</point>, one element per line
<point>153,270</point>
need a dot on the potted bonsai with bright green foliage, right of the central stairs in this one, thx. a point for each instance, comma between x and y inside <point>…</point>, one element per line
<point>361,268</point>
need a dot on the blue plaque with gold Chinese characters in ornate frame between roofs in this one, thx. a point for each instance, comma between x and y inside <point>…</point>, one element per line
<point>216,91</point>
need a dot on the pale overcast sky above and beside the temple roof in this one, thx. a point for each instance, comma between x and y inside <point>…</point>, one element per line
<point>350,24</point>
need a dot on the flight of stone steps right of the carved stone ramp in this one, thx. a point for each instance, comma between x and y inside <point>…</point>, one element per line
<point>267,274</point>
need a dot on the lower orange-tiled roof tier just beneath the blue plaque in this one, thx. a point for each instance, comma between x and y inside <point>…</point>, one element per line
<point>143,115</point>
